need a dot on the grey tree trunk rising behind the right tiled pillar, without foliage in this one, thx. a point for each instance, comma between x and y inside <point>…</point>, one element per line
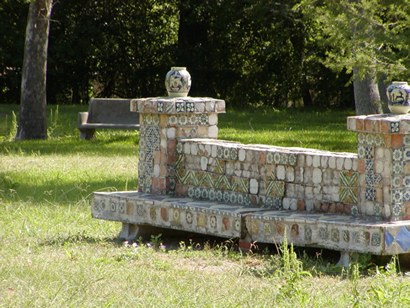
<point>366,95</point>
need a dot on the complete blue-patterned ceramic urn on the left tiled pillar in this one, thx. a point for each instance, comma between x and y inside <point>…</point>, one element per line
<point>178,82</point>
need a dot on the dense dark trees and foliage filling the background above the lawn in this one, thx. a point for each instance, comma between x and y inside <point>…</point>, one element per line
<point>254,52</point>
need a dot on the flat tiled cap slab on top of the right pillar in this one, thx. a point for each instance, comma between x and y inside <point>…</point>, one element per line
<point>380,124</point>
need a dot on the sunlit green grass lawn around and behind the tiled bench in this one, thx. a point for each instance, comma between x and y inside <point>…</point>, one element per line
<point>52,253</point>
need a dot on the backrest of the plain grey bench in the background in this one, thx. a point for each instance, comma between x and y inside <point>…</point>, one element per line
<point>111,111</point>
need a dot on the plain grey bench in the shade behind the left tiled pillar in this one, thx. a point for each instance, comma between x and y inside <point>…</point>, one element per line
<point>106,113</point>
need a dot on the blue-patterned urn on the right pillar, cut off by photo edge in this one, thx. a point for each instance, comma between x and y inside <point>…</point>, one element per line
<point>398,94</point>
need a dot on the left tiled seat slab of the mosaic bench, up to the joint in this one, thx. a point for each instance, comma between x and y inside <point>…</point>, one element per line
<point>211,218</point>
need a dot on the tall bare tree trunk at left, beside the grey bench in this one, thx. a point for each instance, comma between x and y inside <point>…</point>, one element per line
<point>33,102</point>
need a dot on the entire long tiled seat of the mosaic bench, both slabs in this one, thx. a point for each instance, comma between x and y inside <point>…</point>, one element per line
<point>140,211</point>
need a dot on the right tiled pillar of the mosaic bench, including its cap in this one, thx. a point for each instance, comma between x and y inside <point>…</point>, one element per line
<point>383,165</point>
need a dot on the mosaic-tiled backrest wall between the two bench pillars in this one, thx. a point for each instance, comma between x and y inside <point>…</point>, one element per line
<point>268,177</point>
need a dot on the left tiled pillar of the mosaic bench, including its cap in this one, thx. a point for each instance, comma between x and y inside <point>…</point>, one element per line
<point>163,120</point>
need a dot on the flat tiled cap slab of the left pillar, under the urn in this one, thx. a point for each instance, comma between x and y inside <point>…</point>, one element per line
<point>177,105</point>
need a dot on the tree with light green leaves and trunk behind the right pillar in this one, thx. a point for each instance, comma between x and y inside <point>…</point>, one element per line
<point>366,37</point>
